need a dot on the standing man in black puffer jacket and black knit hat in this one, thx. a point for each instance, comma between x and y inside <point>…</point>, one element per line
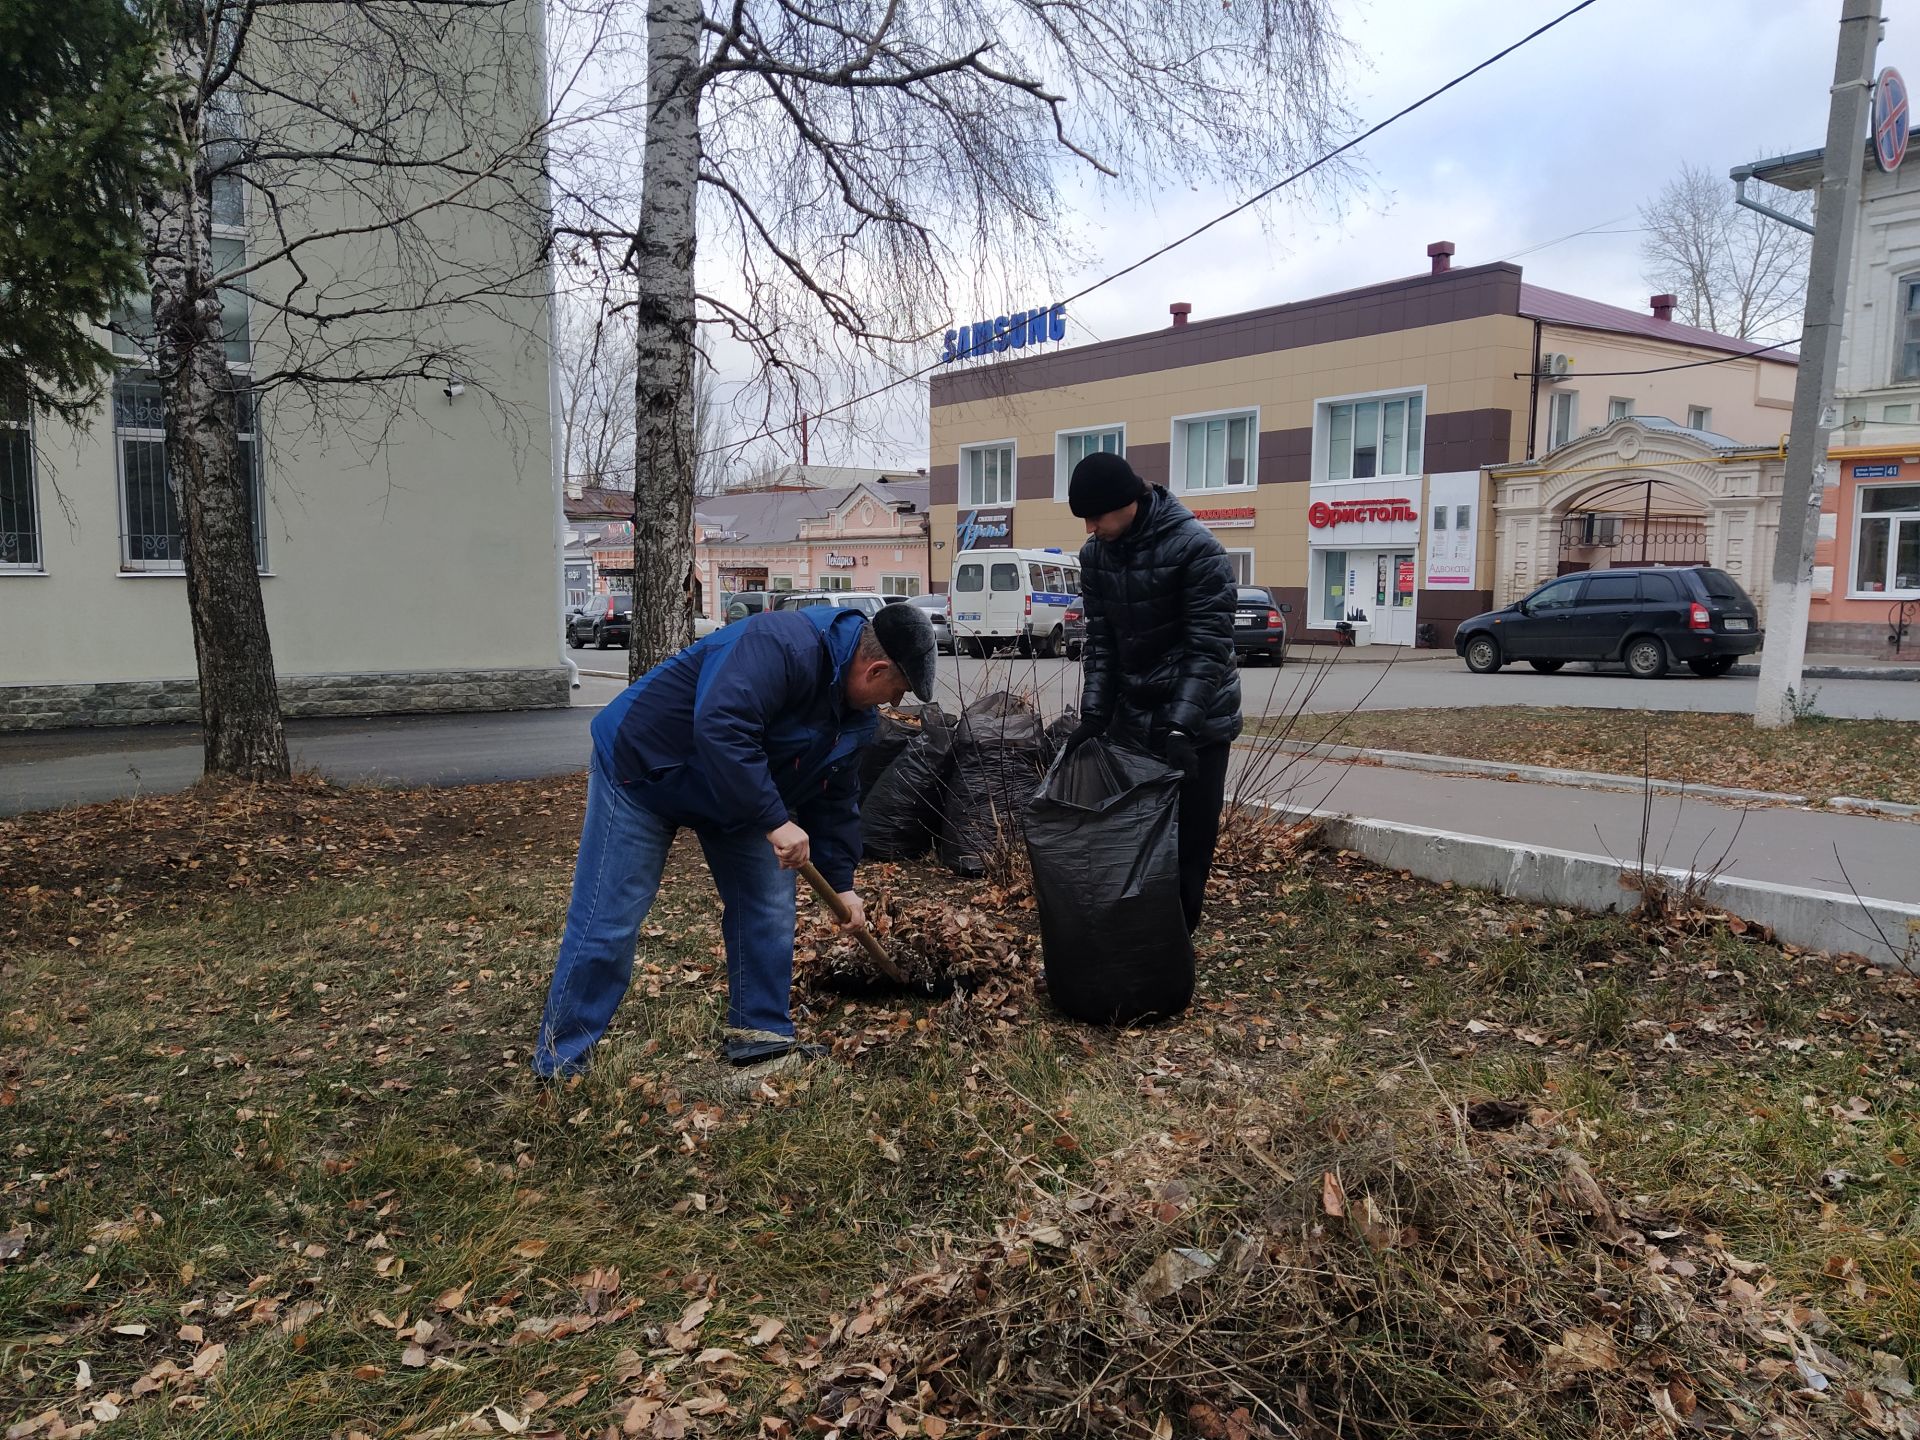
<point>1161,675</point>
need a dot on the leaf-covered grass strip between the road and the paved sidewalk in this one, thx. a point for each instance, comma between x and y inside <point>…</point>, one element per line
<point>1819,759</point>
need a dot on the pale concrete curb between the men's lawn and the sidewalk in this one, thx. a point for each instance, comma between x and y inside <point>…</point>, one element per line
<point>1884,932</point>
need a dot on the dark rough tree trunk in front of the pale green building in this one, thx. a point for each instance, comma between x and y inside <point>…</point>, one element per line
<point>239,698</point>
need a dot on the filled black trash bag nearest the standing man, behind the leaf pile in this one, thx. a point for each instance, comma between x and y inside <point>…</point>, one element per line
<point>999,757</point>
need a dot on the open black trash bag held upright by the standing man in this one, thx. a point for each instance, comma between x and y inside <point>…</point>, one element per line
<point>1103,838</point>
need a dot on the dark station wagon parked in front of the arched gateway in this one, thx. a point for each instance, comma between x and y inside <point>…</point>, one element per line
<point>1646,619</point>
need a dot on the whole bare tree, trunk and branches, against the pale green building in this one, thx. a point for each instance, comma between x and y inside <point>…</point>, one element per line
<point>383,162</point>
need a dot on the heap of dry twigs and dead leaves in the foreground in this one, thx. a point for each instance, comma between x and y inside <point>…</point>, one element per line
<point>1353,1278</point>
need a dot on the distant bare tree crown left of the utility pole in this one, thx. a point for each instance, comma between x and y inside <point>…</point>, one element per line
<point>1735,272</point>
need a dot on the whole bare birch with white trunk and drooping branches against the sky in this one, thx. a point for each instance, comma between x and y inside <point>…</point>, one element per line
<point>865,160</point>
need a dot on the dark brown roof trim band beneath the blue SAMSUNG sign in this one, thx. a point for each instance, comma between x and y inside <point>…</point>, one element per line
<point>1406,304</point>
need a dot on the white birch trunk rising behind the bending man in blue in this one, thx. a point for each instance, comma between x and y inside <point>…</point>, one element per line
<point>663,387</point>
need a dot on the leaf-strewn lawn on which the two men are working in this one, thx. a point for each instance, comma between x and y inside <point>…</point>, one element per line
<point>1418,1163</point>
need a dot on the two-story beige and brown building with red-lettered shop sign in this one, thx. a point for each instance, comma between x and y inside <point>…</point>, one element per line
<point>1337,444</point>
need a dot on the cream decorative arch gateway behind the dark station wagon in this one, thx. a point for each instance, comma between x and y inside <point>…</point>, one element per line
<point>1637,489</point>
